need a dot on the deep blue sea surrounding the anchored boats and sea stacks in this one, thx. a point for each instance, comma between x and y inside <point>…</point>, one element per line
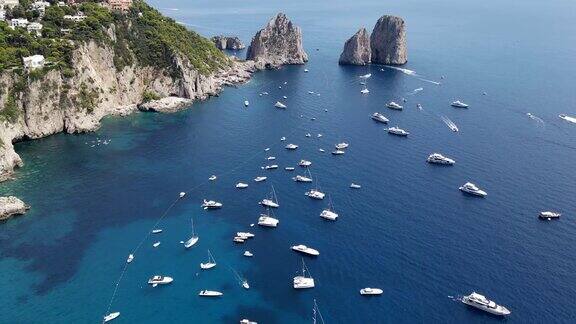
<point>408,230</point>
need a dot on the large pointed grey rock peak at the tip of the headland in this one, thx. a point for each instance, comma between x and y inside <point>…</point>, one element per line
<point>279,43</point>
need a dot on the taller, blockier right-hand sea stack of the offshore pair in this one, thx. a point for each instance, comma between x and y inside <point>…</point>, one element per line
<point>388,41</point>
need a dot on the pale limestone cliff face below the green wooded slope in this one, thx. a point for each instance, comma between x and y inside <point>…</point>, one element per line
<point>55,103</point>
